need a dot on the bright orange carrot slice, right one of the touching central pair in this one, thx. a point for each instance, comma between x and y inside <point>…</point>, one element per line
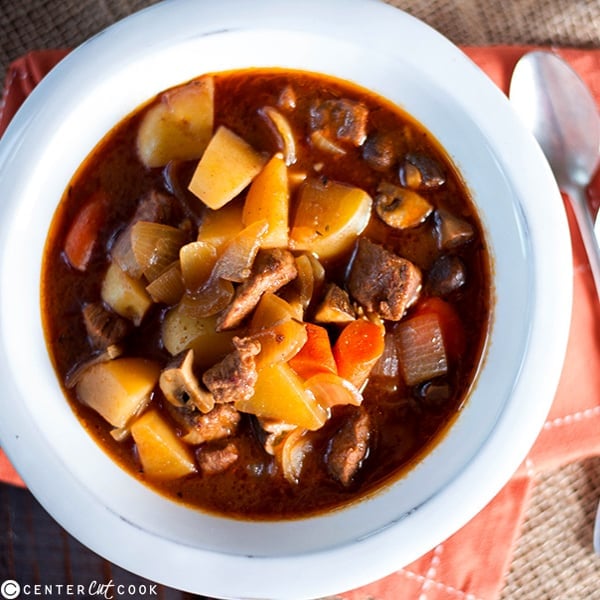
<point>357,349</point>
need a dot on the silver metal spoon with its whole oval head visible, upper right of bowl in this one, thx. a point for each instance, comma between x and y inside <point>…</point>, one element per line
<point>562,114</point>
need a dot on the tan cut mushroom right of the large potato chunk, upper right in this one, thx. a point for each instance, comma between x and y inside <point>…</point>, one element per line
<point>399,207</point>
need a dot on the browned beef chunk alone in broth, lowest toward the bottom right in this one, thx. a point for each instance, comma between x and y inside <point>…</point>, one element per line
<point>349,447</point>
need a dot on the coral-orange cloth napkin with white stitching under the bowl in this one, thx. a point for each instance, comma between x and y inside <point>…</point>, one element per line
<point>454,569</point>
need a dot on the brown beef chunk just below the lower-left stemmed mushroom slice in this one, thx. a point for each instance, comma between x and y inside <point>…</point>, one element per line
<point>220,423</point>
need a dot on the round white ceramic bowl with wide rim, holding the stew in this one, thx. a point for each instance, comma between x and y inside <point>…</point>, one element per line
<point>399,57</point>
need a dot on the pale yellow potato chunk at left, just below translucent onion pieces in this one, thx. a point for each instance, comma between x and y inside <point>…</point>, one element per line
<point>125,295</point>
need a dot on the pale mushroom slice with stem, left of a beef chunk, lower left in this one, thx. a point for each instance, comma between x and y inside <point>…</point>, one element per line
<point>180,386</point>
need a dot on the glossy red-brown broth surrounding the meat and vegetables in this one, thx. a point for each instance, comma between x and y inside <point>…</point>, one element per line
<point>404,427</point>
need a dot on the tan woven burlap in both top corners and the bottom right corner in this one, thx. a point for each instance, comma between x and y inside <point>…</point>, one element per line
<point>554,558</point>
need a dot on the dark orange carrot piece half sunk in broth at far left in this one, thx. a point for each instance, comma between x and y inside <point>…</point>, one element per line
<point>81,237</point>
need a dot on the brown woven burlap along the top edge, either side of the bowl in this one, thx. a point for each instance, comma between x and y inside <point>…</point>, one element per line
<point>38,24</point>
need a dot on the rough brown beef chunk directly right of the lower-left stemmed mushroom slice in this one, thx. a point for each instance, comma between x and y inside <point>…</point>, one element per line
<point>235,376</point>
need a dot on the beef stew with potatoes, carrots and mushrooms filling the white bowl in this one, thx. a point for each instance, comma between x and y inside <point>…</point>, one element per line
<point>266,293</point>
